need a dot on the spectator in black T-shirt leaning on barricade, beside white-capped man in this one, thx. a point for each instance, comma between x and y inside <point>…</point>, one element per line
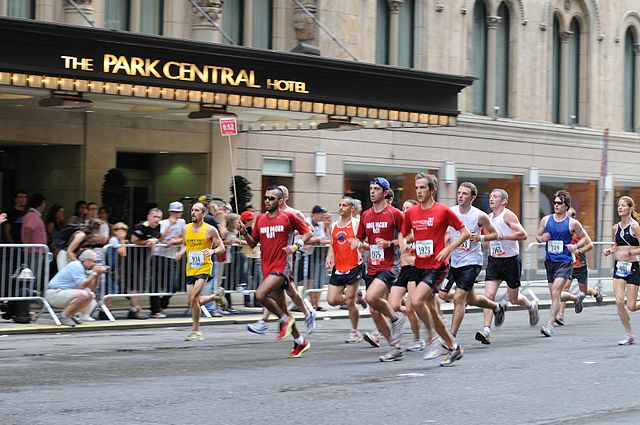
<point>147,234</point>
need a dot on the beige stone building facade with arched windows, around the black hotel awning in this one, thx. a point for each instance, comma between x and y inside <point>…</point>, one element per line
<point>551,77</point>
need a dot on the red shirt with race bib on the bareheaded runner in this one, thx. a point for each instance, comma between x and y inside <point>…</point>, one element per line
<point>429,228</point>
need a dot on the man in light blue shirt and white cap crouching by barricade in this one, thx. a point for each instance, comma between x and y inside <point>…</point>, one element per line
<point>72,287</point>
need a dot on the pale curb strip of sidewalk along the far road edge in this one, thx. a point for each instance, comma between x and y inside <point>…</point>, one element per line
<point>177,317</point>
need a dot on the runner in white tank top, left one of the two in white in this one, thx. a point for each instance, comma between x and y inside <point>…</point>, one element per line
<point>466,260</point>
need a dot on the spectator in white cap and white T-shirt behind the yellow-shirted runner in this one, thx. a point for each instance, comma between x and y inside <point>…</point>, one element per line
<point>165,271</point>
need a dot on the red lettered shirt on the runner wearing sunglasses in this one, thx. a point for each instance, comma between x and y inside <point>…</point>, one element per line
<point>274,234</point>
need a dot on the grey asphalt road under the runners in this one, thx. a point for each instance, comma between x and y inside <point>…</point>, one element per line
<point>152,376</point>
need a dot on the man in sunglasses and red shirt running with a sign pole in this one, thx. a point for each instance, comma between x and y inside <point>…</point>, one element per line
<point>274,230</point>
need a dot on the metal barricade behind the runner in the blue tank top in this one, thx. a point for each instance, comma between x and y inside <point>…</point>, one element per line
<point>535,277</point>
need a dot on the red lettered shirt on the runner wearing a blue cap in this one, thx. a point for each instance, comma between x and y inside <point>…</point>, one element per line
<point>385,224</point>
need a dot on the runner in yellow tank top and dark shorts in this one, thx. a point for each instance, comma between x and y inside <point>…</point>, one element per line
<point>198,239</point>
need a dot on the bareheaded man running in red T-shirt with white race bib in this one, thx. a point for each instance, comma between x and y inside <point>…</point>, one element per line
<point>429,221</point>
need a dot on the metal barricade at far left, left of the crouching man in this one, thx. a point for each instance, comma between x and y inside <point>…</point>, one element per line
<point>13,287</point>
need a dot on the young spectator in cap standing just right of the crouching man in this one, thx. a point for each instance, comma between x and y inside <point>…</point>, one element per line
<point>115,255</point>
